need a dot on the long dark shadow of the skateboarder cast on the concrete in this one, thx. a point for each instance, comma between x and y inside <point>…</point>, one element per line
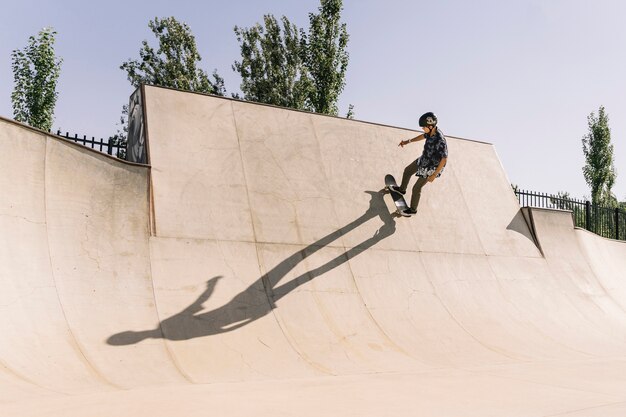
<point>252,303</point>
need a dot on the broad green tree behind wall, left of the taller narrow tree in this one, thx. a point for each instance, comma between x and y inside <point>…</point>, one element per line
<point>271,67</point>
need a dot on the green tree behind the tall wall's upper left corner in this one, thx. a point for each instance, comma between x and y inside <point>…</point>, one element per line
<point>175,62</point>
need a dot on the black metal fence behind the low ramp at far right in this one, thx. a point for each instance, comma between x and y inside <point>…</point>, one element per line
<point>605,221</point>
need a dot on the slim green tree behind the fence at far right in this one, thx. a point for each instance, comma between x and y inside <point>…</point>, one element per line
<point>599,170</point>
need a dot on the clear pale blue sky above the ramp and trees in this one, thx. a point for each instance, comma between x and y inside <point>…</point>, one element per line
<point>521,74</point>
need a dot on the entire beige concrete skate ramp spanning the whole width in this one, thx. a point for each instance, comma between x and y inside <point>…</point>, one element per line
<point>256,267</point>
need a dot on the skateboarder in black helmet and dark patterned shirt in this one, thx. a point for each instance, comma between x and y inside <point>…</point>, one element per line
<point>428,166</point>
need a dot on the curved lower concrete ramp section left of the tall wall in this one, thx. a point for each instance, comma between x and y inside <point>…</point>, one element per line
<point>74,268</point>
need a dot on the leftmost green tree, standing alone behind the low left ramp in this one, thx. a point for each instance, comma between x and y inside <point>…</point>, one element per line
<point>36,70</point>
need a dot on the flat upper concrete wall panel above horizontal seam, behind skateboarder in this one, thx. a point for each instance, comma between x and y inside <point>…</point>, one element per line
<point>290,177</point>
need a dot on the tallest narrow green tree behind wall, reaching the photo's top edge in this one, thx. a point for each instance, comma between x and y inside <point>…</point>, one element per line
<point>324,52</point>
